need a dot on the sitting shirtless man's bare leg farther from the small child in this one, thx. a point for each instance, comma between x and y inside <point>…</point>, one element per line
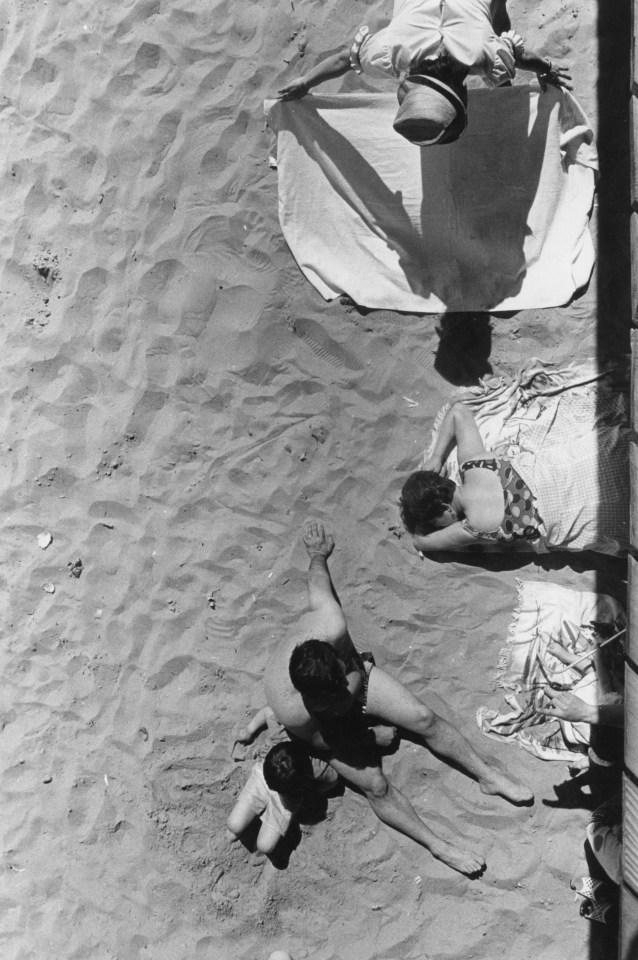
<point>390,701</point>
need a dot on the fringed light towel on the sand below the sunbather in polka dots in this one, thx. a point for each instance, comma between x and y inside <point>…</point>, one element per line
<point>549,613</point>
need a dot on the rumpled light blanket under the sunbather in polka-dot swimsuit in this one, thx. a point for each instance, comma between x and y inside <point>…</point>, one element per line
<point>566,432</point>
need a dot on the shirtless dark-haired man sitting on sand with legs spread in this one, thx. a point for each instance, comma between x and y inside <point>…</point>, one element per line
<point>323,692</point>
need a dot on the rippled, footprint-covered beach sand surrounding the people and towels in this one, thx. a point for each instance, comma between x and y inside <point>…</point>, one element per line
<point>176,401</point>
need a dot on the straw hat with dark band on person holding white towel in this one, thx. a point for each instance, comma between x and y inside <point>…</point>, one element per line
<point>430,111</point>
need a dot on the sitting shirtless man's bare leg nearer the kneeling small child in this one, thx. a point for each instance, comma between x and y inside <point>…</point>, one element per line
<point>395,810</point>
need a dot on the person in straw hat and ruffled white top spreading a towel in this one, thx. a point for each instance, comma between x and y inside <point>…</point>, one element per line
<point>431,48</point>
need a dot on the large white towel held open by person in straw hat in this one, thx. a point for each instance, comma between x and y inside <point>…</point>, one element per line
<point>496,221</point>
